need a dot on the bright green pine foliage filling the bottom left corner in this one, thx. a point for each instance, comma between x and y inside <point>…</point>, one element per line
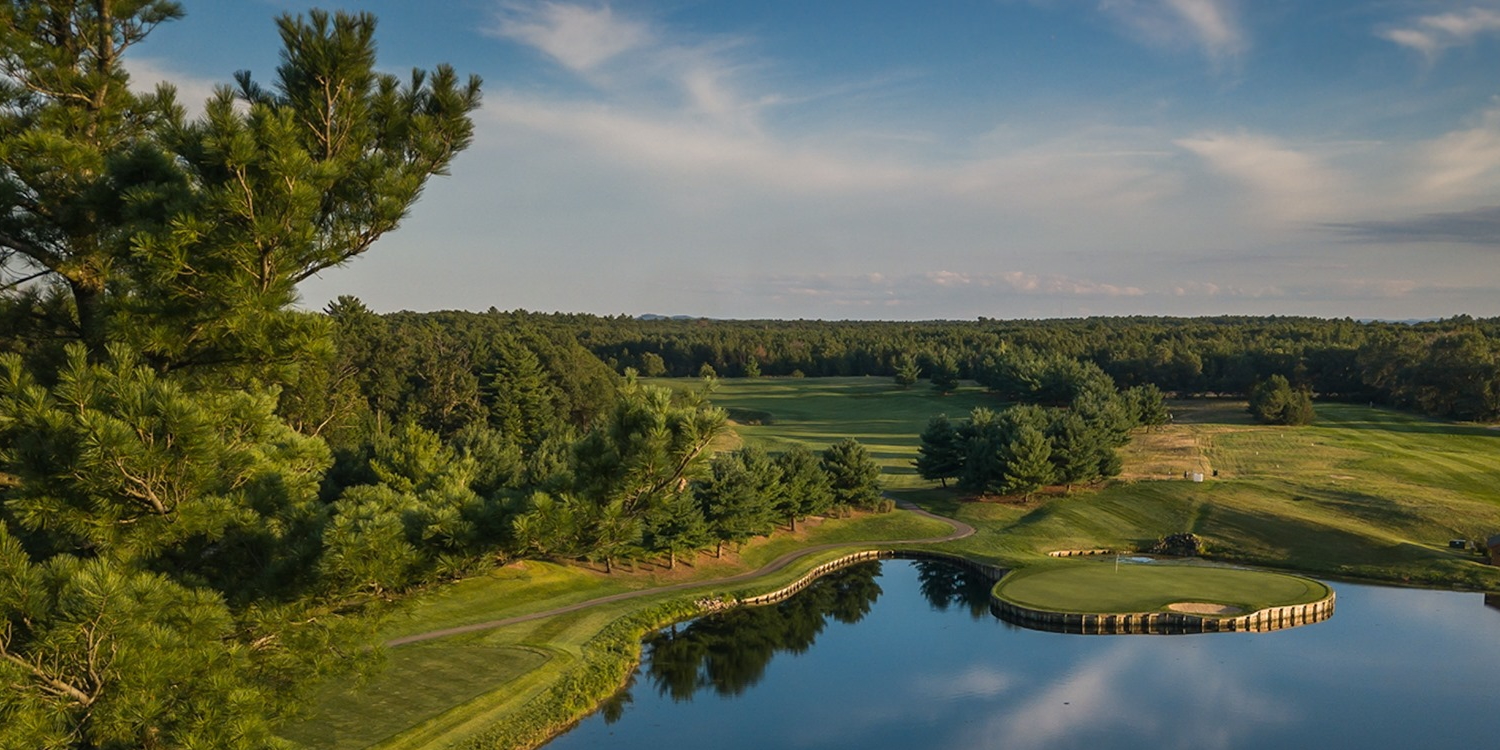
<point>95,655</point>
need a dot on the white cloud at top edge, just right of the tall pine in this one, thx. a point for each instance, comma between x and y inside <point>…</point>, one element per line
<point>577,37</point>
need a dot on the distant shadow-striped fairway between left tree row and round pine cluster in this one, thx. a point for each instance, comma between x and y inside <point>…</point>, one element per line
<point>820,412</point>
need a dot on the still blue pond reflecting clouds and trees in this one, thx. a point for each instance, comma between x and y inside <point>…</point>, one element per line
<point>905,655</point>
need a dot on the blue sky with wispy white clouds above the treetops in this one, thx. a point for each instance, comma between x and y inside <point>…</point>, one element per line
<point>896,160</point>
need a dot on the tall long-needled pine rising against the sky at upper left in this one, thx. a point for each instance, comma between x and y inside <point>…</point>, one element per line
<point>188,239</point>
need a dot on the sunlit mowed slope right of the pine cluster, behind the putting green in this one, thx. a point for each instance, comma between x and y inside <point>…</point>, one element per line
<point>1364,493</point>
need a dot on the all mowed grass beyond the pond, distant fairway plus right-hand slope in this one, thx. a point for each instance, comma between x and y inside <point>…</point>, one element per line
<point>1363,493</point>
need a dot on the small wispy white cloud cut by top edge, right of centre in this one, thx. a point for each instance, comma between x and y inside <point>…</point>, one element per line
<point>1213,26</point>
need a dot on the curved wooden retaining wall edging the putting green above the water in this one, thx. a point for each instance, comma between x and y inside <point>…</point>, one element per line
<point>1166,623</point>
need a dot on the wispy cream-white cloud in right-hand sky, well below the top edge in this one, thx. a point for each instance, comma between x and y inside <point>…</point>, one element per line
<point>1288,185</point>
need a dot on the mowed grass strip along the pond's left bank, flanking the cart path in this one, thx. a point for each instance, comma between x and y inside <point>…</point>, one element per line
<point>433,694</point>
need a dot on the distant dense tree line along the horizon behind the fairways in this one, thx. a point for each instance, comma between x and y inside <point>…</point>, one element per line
<point>1448,368</point>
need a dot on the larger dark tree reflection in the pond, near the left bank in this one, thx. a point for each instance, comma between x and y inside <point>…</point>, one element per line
<point>730,653</point>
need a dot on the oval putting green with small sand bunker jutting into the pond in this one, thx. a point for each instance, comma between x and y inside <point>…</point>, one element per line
<point>1102,587</point>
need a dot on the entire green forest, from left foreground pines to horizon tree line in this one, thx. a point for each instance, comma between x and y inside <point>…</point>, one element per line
<point>211,496</point>
